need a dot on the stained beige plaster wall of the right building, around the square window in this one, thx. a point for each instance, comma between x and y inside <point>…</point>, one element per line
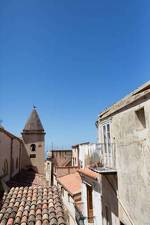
<point>132,162</point>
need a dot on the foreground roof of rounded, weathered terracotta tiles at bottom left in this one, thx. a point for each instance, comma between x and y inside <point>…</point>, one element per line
<point>32,206</point>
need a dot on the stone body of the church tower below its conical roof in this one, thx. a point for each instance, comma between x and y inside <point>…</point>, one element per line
<point>38,140</point>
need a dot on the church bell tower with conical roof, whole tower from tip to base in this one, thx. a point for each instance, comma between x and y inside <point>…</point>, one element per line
<point>33,136</point>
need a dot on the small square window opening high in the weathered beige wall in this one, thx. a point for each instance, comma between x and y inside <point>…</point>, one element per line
<point>141,121</point>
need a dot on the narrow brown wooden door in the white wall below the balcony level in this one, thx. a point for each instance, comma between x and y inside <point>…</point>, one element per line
<point>89,204</point>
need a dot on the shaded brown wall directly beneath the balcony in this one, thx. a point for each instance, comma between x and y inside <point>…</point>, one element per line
<point>109,200</point>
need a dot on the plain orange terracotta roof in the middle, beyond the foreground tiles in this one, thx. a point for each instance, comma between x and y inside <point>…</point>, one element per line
<point>71,182</point>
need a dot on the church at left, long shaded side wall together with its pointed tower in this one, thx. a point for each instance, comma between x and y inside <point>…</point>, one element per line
<point>22,153</point>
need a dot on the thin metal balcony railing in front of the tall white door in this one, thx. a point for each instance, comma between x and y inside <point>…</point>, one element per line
<point>107,154</point>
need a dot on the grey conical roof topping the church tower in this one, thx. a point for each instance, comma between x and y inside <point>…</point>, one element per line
<point>34,122</point>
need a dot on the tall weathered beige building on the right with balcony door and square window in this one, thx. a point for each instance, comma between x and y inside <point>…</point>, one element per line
<point>127,125</point>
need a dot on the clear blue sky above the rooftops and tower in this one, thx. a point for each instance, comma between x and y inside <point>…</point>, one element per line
<point>71,59</point>
